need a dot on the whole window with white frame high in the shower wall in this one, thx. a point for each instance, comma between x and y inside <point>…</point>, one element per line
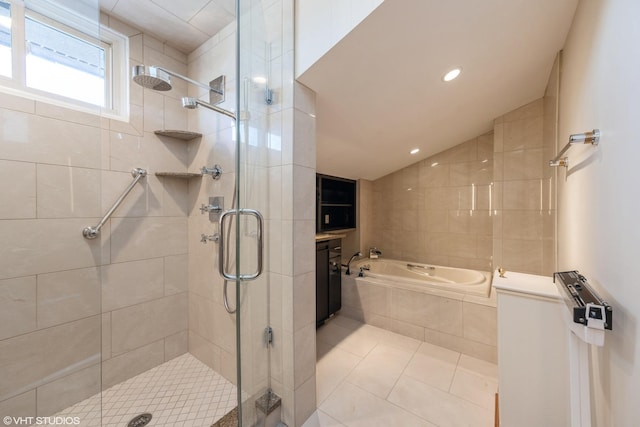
<point>56,55</point>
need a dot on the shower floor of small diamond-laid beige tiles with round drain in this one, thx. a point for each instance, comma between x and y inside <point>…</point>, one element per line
<point>179,393</point>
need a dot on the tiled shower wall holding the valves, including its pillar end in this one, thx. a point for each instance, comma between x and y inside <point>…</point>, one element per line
<point>280,175</point>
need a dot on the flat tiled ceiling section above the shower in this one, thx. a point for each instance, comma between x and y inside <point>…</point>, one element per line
<point>182,24</point>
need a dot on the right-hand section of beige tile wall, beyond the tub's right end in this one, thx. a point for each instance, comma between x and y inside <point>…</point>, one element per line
<point>524,197</point>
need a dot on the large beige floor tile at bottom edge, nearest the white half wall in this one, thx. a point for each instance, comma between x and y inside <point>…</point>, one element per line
<point>438,407</point>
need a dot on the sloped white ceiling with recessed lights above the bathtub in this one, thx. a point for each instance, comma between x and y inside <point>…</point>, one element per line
<point>379,90</point>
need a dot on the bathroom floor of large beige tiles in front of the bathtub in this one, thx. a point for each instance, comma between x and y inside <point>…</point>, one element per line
<point>367,376</point>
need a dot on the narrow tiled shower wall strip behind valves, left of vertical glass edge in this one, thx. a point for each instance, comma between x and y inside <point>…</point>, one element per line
<point>211,328</point>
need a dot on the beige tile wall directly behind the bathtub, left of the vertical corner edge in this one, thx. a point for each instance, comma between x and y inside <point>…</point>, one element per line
<point>438,211</point>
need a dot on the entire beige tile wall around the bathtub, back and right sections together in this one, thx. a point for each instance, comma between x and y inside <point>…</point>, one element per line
<point>485,203</point>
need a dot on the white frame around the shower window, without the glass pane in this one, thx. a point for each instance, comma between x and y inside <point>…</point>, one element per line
<point>67,21</point>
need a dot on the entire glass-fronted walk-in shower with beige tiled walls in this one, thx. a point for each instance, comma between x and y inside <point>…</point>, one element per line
<point>141,302</point>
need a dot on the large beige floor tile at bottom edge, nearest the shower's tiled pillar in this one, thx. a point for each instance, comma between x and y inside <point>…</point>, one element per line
<point>355,407</point>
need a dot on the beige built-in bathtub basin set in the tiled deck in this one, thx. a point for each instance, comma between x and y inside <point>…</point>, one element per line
<point>421,277</point>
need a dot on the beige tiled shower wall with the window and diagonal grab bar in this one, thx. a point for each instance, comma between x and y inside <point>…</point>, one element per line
<point>59,293</point>
